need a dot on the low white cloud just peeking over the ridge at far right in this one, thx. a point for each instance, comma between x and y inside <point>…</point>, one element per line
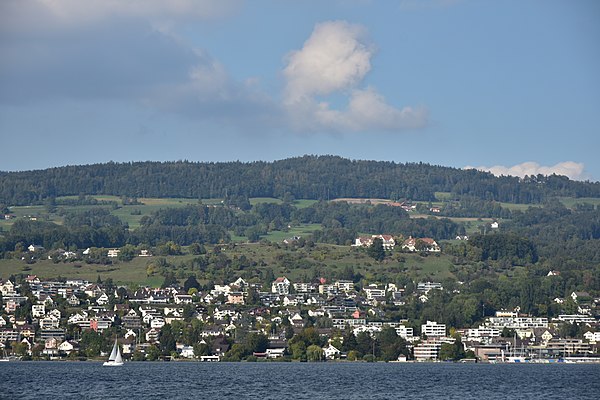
<point>571,169</point>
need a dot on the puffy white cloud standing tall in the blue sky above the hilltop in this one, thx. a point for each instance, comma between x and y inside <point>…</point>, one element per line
<point>335,59</point>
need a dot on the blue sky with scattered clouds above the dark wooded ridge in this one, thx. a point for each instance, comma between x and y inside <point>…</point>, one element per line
<point>511,86</point>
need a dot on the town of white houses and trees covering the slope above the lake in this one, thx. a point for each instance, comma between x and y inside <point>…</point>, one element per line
<point>315,320</point>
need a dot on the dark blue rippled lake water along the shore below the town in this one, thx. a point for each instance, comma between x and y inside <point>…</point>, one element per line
<point>146,380</point>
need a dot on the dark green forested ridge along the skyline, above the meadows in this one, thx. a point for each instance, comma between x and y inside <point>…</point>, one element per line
<point>308,177</point>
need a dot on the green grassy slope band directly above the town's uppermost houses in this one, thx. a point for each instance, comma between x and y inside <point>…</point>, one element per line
<point>327,258</point>
